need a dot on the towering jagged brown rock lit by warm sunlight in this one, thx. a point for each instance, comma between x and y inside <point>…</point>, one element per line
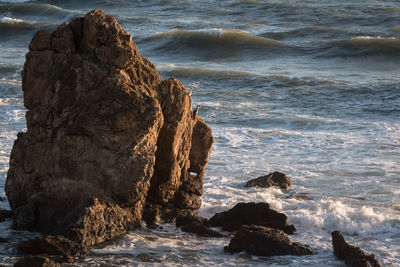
<point>108,142</point>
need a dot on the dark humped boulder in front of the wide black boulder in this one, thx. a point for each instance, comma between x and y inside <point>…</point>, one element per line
<point>264,241</point>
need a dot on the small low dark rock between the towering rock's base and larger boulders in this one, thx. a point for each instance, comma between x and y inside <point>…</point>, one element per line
<point>197,225</point>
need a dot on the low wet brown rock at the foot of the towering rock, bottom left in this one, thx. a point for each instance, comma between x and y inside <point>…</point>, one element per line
<point>60,246</point>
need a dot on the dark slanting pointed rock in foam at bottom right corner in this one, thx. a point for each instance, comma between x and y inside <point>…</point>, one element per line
<point>352,255</point>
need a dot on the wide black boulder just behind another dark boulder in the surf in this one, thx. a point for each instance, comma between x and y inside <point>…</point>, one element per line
<point>251,213</point>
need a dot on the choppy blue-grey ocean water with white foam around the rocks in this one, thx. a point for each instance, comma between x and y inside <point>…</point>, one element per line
<point>309,88</point>
